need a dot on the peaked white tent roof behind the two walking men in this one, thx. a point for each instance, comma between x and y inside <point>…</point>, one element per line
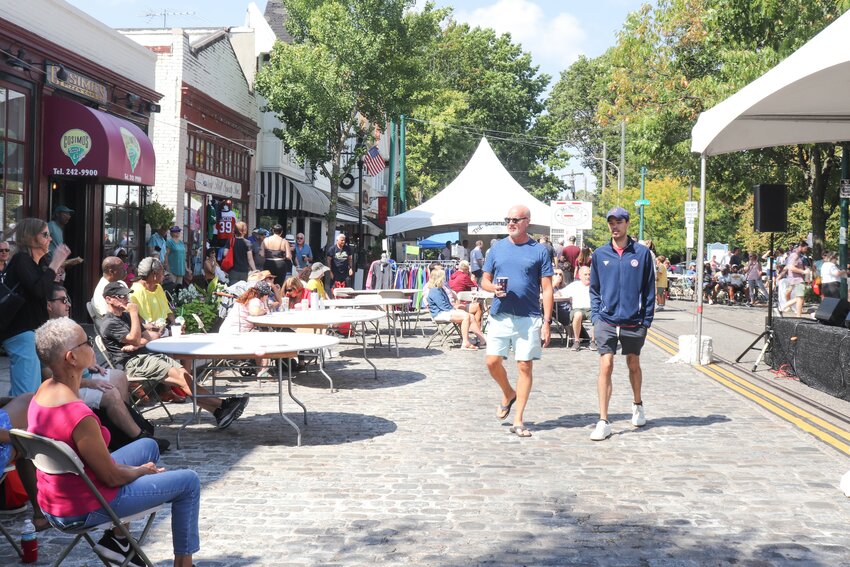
<point>483,192</point>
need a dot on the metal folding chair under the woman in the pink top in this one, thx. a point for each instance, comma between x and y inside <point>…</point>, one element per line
<point>55,457</point>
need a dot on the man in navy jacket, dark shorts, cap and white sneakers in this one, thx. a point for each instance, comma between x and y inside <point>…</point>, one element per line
<point>622,304</point>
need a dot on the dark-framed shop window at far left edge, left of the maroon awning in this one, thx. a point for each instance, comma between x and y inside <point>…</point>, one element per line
<point>13,121</point>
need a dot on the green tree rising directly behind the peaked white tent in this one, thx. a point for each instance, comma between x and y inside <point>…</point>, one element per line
<point>481,84</point>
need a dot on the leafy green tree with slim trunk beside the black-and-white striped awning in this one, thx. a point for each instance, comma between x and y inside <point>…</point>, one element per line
<point>352,63</point>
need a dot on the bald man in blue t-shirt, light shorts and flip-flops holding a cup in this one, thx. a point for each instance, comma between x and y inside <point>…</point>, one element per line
<point>520,267</point>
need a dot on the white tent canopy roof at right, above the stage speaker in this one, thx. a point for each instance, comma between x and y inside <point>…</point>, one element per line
<point>802,100</point>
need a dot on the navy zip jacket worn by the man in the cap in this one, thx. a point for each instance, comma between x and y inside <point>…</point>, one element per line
<point>622,288</point>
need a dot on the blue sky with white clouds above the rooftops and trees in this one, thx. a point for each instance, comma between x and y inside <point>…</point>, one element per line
<point>556,32</point>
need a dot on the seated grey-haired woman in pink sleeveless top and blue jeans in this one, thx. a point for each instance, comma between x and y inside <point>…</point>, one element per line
<point>128,478</point>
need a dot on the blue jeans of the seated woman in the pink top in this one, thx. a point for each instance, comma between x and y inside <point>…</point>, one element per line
<point>180,487</point>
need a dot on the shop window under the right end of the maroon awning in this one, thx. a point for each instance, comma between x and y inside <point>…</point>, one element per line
<point>121,216</point>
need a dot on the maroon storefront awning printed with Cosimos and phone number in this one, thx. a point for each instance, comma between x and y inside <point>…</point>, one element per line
<point>84,142</point>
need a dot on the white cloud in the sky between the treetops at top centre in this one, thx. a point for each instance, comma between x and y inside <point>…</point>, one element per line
<point>554,40</point>
